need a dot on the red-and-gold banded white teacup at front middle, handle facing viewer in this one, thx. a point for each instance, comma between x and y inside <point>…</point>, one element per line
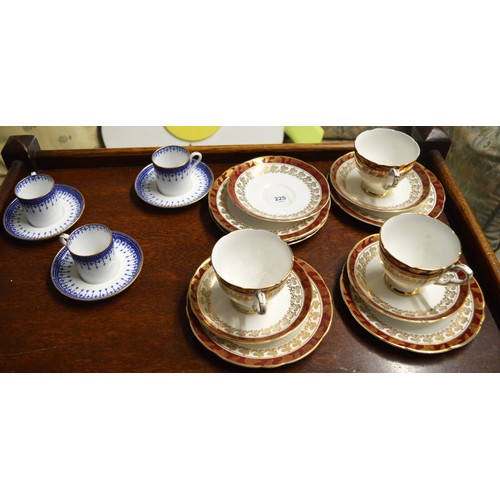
<point>252,266</point>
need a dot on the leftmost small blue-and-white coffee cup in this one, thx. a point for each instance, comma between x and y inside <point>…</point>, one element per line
<point>39,199</point>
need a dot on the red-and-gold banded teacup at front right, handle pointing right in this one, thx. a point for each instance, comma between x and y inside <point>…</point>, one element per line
<point>418,250</point>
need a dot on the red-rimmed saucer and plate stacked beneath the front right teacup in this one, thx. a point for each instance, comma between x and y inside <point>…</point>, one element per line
<point>438,319</point>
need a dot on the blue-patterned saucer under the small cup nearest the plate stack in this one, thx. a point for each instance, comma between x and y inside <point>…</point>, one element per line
<point>147,190</point>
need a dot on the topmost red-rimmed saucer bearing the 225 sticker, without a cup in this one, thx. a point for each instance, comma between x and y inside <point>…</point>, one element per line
<point>278,188</point>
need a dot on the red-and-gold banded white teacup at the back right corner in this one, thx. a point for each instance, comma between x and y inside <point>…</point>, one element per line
<point>383,156</point>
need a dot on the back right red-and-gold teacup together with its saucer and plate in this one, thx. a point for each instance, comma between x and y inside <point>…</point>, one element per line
<point>381,178</point>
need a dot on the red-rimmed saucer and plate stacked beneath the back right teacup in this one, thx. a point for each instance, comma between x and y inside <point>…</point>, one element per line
<point>419,191</point>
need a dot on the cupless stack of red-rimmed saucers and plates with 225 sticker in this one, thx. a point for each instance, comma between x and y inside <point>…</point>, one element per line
<point>280,194</point>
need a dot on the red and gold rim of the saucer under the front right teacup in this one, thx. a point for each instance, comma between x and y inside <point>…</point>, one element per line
<point>350,263</point>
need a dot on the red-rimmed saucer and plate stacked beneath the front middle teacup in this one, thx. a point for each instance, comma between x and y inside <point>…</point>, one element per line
<point>297,319</point>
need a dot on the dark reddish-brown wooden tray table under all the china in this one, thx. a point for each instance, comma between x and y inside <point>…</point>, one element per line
<point>145,328</point>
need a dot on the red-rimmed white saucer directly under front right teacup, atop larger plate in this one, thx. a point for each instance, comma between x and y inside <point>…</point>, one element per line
<point>366,274</point>
